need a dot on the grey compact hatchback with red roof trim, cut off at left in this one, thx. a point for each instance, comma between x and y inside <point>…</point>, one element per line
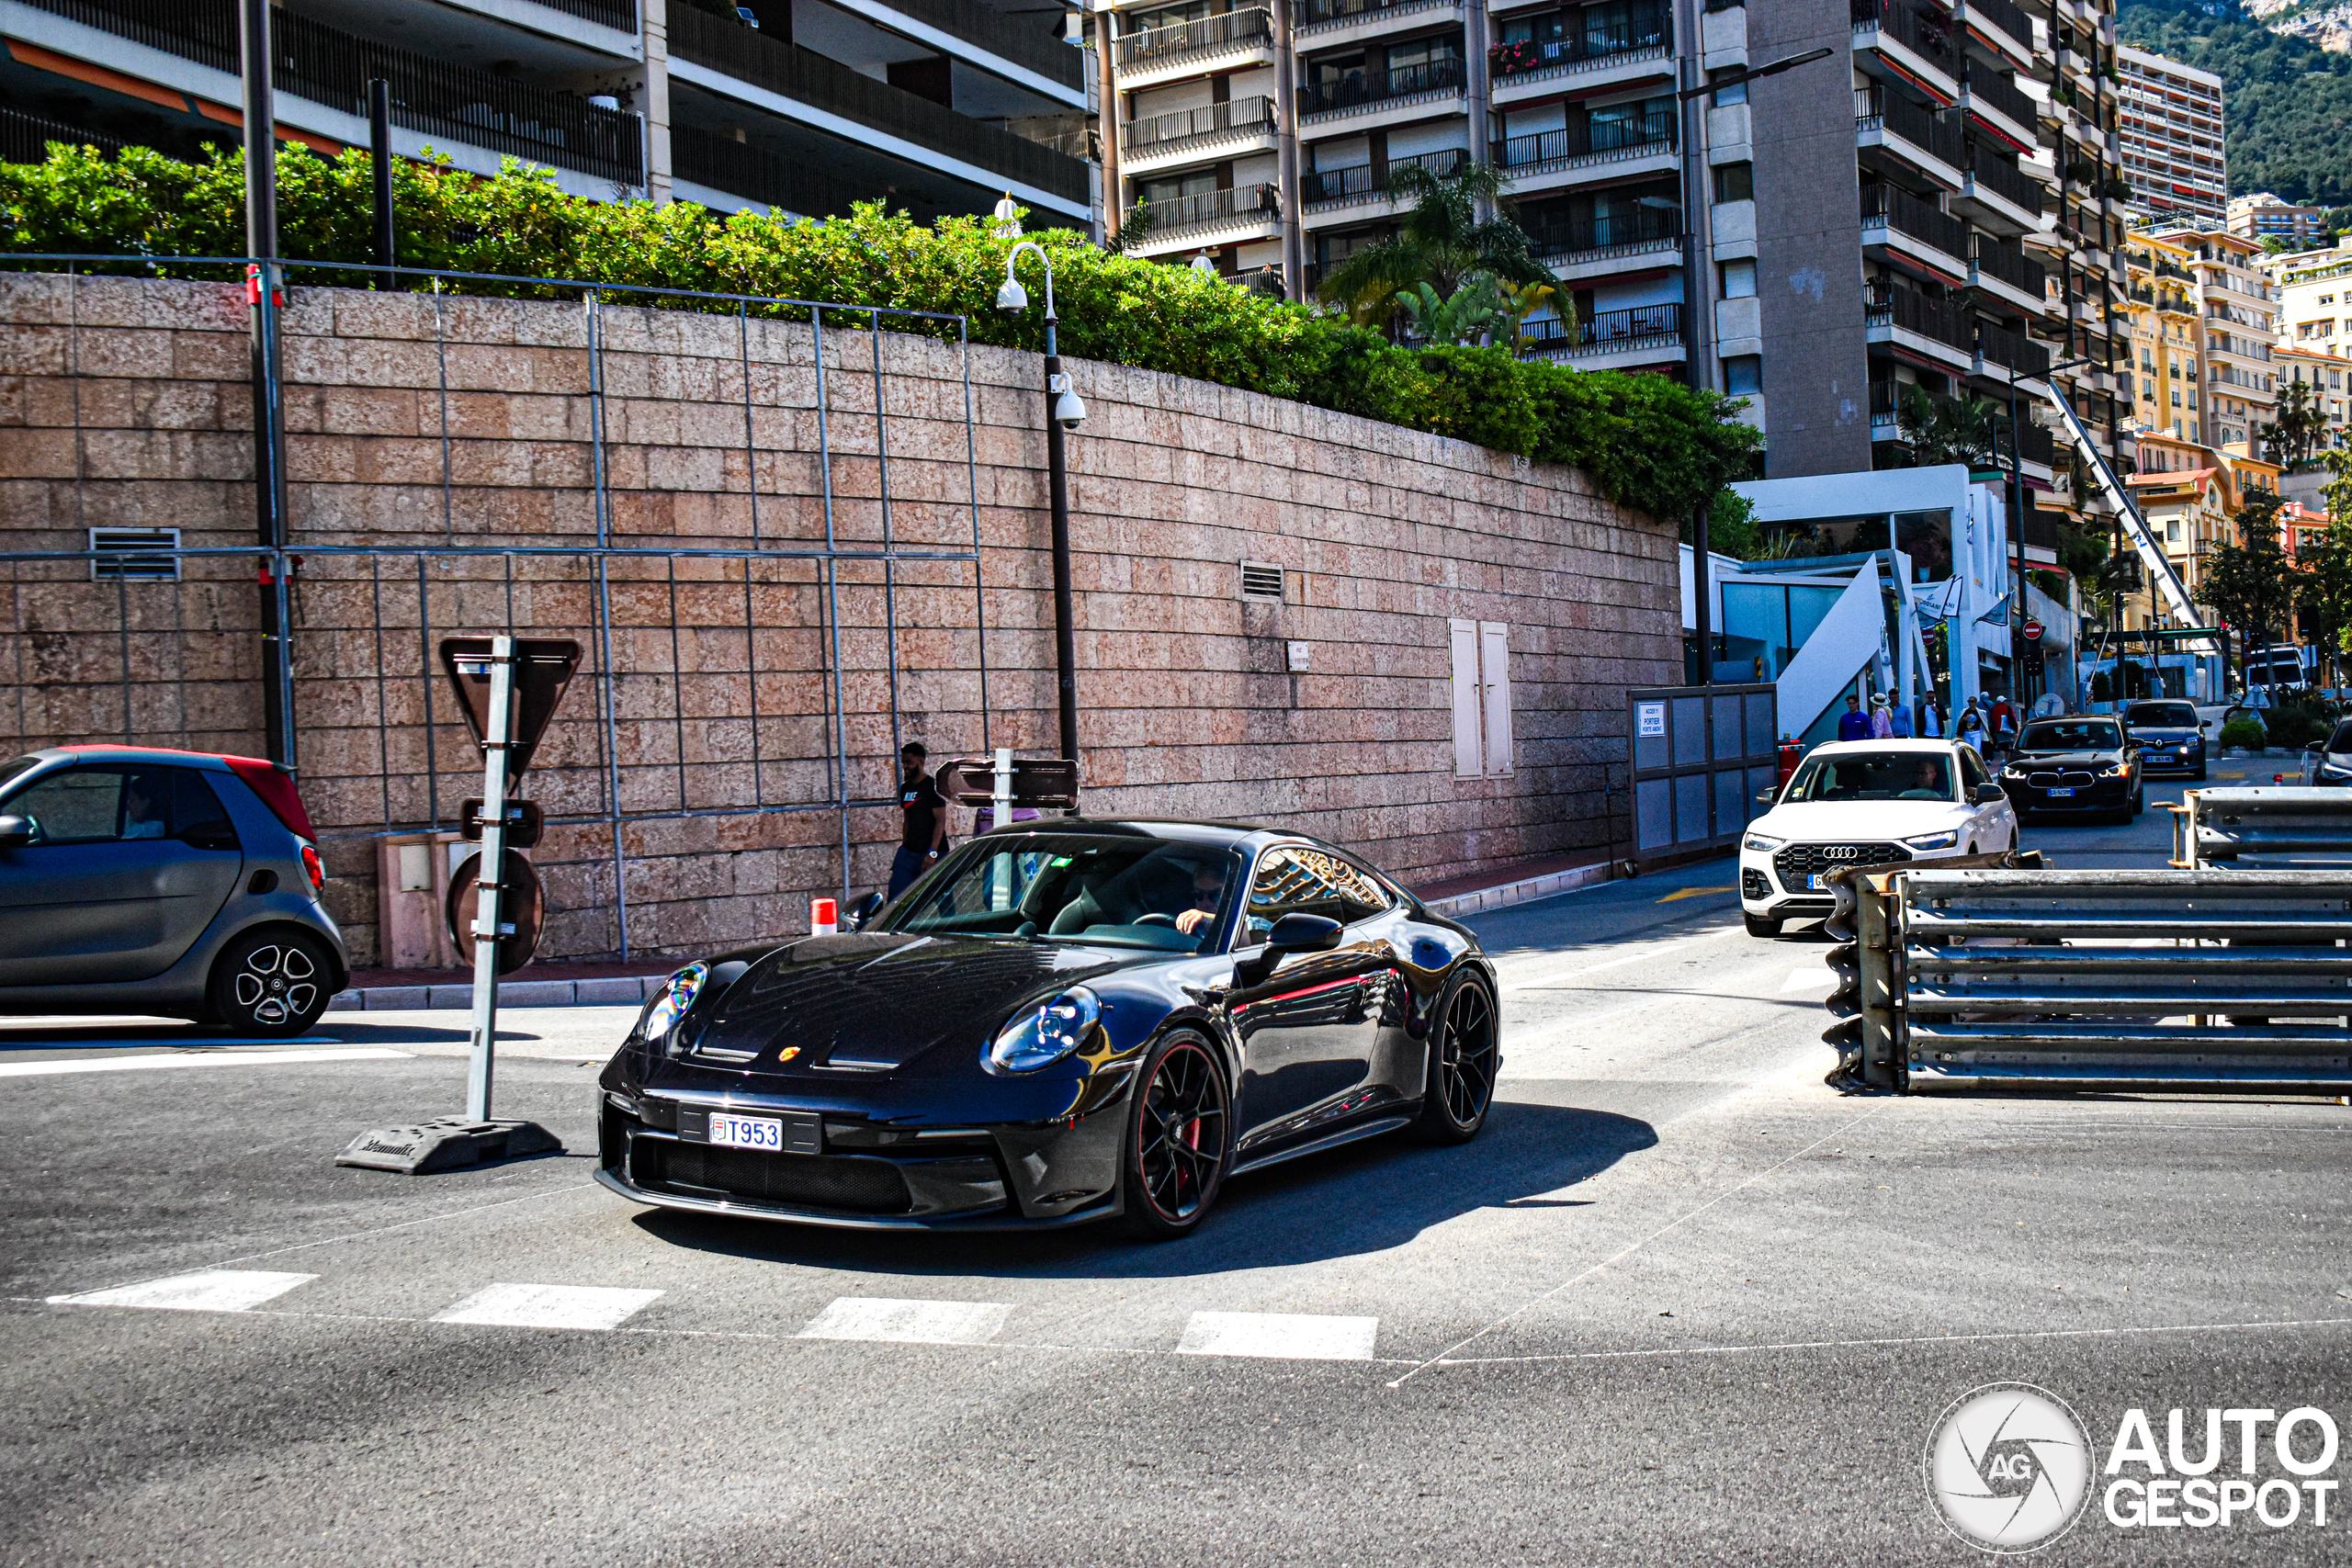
<point>142,880</point>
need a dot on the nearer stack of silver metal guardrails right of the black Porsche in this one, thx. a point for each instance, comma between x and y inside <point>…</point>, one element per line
<point>2139,979</point>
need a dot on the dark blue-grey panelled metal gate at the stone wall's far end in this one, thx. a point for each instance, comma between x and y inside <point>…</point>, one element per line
<point>1699,760</point>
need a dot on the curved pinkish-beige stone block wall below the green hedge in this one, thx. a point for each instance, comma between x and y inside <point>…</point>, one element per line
<point>453,460</point>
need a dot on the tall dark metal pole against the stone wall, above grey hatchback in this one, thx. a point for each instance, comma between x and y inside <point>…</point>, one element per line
<point>260,297</point>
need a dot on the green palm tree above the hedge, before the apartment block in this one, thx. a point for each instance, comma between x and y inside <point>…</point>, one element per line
<point>1443,243</point>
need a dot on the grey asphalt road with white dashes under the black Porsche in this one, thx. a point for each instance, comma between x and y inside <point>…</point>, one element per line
<point>1681,1304</point>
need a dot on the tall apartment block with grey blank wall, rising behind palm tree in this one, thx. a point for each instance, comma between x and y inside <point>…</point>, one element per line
<point>1935,203</point>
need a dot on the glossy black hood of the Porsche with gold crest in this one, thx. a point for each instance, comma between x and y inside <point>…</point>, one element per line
<point>883,1000</point>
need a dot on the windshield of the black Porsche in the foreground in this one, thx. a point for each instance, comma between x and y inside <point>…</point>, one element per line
<point>1074,887</point>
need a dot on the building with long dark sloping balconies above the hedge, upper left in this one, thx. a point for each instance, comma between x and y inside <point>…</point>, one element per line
<point>937,107</point>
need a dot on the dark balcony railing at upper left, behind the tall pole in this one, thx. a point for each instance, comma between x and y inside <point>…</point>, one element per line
<point>432,95</point>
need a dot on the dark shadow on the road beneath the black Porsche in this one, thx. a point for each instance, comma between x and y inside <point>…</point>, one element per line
<point>1365,1198</point>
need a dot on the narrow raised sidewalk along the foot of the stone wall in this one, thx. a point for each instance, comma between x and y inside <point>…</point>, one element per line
<point>615,984</point>
